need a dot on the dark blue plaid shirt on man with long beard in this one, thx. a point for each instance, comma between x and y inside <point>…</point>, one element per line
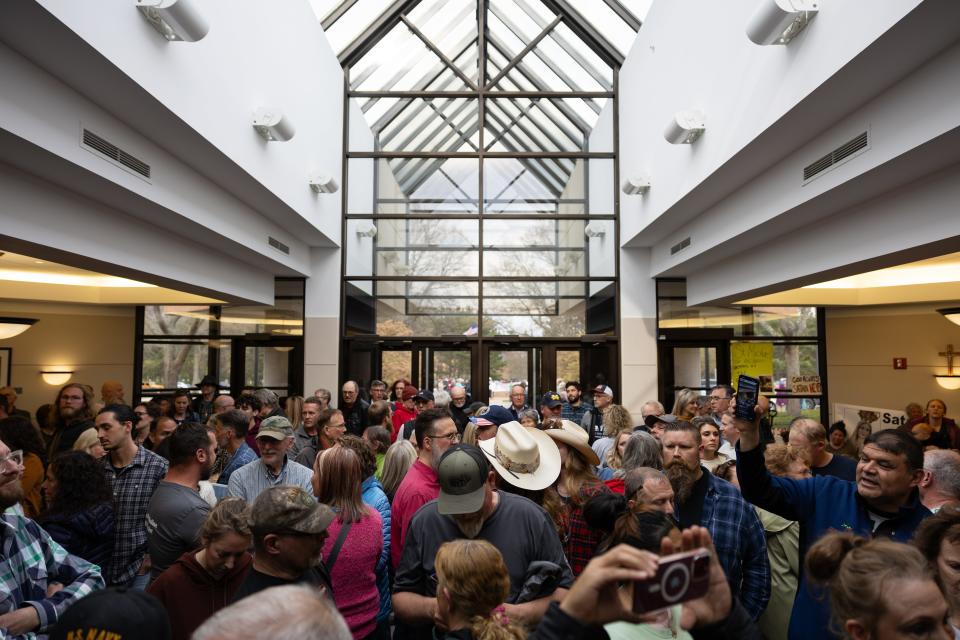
<point>740,541</point>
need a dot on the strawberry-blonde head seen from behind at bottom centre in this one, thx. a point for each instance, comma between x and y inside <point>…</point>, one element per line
<point>472,584</point>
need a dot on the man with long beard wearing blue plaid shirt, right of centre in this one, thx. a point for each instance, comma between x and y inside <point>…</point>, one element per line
<point>703,499</point>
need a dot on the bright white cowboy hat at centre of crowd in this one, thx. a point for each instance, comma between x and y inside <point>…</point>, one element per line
<point>523,456</point>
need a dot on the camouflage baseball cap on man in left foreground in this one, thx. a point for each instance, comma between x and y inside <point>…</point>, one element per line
<point>289,508</point>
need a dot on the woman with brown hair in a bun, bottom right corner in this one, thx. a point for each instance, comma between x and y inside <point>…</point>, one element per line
<point>879,589</point>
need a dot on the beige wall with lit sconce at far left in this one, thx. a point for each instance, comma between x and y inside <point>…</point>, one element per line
<point>97,343</point>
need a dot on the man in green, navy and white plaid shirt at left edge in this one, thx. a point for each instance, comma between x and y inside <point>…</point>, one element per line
<point>30,561</point>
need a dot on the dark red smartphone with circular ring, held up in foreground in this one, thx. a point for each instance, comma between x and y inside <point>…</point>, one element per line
<point>680,577</point>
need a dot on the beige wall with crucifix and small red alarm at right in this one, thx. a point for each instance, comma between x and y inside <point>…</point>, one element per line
<point>861,346</point>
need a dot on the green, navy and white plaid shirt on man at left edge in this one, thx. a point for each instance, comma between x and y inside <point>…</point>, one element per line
<point>32,560</point>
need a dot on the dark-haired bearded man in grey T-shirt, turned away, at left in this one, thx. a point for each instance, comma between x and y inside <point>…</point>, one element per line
<point>176,511</point>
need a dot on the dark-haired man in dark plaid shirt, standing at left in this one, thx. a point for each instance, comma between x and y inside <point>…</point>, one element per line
<point>133,474</point>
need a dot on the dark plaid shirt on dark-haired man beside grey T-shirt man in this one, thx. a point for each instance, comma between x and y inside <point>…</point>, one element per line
<point>132,487</point>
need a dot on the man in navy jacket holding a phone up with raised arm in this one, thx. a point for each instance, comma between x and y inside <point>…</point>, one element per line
<point>884,501</point>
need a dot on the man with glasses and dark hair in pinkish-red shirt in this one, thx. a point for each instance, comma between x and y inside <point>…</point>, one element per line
<point>435,432</point>
